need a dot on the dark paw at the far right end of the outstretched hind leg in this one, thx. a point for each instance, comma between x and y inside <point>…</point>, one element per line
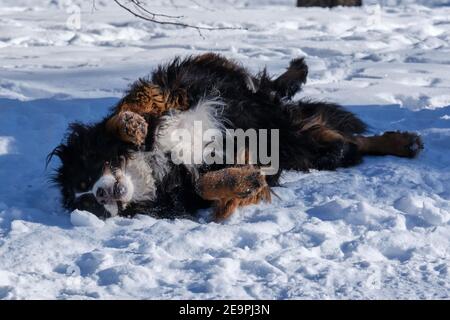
<point>406,144</point>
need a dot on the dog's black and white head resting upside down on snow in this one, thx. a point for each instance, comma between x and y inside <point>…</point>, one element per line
<point>92,175</point>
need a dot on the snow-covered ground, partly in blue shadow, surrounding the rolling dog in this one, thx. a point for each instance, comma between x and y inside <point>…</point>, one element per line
<point>380,230</point>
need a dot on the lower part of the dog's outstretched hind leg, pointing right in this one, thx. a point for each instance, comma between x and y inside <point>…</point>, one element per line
<point>400,144</point>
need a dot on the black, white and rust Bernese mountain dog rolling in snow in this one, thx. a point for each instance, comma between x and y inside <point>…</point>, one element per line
<point>125,164</point>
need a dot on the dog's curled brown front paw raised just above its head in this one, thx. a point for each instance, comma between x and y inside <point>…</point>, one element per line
<point>132,127</point>
